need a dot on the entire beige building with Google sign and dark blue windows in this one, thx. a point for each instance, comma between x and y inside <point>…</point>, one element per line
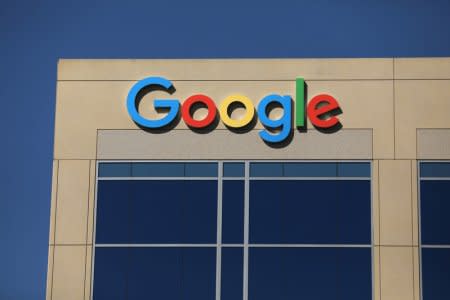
<point>356,210</point>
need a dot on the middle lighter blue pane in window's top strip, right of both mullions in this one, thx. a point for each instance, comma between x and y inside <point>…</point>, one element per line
<point>310,169</point>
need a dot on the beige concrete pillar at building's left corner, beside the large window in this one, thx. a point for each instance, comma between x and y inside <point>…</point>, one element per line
<point>71,228</point>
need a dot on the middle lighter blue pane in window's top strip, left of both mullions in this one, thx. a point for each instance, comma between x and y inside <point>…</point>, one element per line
<point>157,170</point>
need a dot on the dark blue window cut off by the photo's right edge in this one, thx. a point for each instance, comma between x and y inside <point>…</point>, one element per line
<point>434,185</point>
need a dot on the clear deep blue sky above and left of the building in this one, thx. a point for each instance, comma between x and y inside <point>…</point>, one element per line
<point>35,34</point>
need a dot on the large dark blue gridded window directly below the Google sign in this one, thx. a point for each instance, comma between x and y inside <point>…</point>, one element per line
<point>233,230</point>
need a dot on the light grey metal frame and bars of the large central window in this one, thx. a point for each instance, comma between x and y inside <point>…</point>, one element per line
<point>247,178</point>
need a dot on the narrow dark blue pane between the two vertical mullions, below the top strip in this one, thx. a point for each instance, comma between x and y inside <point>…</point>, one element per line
<point>233,212</point>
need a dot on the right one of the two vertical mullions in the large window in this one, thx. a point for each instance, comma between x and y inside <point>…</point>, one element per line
<point>246,229</point>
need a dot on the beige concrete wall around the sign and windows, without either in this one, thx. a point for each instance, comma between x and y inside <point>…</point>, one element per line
<point>403,103</point>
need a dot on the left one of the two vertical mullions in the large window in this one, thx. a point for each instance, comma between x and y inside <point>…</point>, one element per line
<point>219,231</point>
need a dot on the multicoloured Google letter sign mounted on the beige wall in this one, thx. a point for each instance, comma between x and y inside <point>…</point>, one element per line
<point>321,110</point>
